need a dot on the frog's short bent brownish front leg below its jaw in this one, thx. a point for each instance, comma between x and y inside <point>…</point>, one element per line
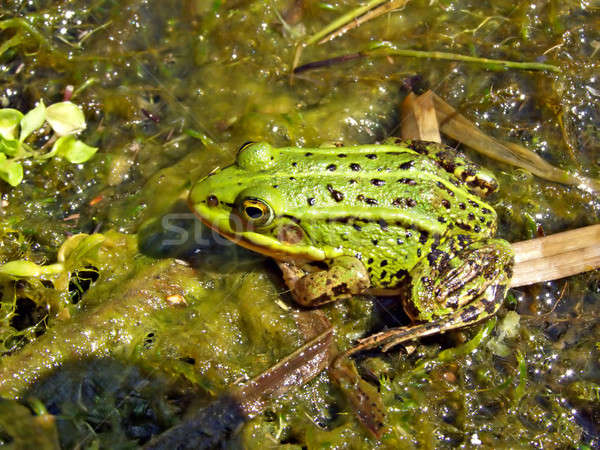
<point>345,276</point>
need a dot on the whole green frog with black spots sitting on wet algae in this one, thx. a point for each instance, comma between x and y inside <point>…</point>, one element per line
<point>403,218</point>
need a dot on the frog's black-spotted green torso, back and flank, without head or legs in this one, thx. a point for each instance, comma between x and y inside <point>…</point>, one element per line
<point>385,204</point>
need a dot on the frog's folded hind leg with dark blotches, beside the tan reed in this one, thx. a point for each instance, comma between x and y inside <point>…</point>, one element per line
<point>456,285</point>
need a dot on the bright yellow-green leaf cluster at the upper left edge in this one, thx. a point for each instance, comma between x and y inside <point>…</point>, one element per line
<point>65,119</point>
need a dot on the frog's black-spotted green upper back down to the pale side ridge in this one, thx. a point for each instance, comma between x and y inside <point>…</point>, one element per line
<point>381,183</point>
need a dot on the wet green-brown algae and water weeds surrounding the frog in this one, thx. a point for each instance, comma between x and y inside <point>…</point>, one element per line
<point>128,314</point>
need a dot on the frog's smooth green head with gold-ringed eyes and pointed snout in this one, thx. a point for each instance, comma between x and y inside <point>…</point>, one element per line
<point>248,203</point>
